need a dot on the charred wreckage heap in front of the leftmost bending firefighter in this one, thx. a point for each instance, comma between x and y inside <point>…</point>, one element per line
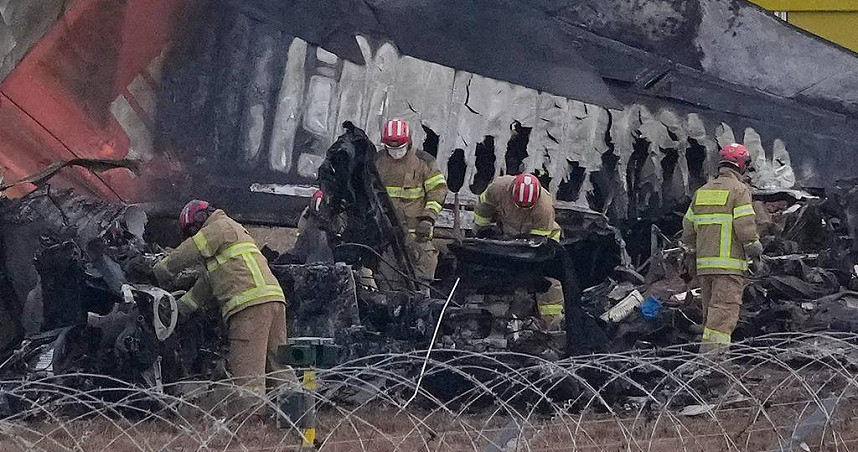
<point>76,284</point>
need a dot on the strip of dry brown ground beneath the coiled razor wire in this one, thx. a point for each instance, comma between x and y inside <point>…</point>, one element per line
<point>382,429</point>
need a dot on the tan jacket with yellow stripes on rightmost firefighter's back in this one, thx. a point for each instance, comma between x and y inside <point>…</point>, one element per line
<point>719,225</point>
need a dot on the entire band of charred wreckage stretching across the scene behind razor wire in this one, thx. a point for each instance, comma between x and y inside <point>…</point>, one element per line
<point>81,306</point>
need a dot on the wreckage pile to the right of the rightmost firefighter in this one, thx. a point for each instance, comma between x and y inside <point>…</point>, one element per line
<point>809,278</point>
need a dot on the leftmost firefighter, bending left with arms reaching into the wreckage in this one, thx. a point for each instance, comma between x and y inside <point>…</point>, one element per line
<point>236,280</point>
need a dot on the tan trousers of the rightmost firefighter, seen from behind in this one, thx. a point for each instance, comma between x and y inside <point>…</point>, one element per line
<point>722,301</point>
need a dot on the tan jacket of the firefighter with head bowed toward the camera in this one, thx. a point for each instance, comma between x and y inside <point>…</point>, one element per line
<point>496,206</point>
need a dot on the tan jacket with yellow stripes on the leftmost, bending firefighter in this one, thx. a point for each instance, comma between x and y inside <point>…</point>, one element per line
<point>237,274</point>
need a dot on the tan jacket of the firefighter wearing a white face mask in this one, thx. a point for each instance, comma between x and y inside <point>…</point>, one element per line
<point>414,184</point>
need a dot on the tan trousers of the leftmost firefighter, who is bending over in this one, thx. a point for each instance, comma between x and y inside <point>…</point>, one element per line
<point>255,333</point>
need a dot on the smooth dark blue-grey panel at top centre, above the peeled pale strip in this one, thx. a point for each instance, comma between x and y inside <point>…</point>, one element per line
<point>502,39</point>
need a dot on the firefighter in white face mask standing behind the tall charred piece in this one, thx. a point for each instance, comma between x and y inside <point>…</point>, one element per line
<point>417,190</point>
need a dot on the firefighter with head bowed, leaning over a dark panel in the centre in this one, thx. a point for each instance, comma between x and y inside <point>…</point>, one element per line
<point>518,206</point>
